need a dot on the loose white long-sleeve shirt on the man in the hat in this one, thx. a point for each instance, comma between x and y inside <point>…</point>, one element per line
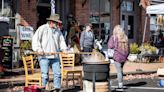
<point>48,40</point>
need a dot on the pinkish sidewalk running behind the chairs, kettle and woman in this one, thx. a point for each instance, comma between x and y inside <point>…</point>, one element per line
<point>17,75</point>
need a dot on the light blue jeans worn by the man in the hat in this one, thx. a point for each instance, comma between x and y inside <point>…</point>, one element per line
<point>44,66</point>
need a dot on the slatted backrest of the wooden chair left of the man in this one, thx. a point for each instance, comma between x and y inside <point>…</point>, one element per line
<point>28,64</point>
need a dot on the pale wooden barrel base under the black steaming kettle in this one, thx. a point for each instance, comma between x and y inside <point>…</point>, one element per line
<point>99,86</point>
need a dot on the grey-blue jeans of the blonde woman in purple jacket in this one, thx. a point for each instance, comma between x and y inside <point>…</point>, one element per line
<point>119,68</point>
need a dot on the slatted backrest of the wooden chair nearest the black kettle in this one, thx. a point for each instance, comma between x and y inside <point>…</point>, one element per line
<point>67,60</point>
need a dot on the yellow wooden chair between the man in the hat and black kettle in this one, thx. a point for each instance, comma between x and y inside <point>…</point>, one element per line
<point>67,69</point>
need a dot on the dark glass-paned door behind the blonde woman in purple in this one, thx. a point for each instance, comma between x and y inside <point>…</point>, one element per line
<point>128,20</point>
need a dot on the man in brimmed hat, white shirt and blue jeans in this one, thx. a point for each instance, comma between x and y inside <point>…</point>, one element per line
<point>48,38</point>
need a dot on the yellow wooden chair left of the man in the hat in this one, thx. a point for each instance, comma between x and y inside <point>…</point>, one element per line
<point>31,78</point>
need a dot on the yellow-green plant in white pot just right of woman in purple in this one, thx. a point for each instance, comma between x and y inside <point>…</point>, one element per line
<point>133,52</point>
